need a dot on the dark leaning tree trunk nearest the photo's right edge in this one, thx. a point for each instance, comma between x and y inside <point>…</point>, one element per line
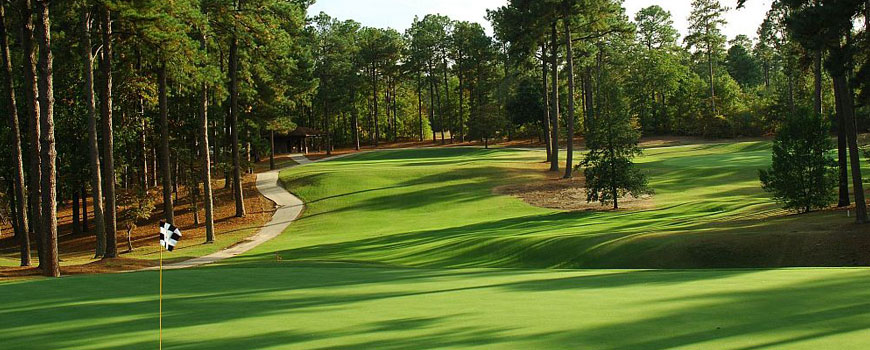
<point>845,107</point>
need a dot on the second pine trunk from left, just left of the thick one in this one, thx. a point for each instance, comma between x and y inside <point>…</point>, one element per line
<point>31,99</point>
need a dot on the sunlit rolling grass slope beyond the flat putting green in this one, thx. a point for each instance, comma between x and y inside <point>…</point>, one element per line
<point>435,208</point>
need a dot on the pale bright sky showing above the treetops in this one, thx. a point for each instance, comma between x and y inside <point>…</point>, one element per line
<point>398,14</point>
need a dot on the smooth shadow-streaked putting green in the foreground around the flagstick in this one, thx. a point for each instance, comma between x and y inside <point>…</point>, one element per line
<point>328,306</point>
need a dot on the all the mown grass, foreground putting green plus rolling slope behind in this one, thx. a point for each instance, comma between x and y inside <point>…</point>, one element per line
<point>412,249</point>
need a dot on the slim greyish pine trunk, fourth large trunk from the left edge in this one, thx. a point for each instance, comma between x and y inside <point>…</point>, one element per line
<point>93,147</point>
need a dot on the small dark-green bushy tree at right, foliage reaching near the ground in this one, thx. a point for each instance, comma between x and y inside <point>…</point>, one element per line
<point>802,175</point>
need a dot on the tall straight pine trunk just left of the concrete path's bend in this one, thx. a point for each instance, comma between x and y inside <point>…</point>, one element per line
<point>234,127</point>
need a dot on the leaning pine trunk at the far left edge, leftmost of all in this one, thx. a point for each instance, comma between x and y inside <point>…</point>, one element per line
<point>20,195</point>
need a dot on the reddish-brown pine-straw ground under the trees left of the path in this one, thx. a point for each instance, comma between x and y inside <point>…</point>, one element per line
<point>76,250</point>
